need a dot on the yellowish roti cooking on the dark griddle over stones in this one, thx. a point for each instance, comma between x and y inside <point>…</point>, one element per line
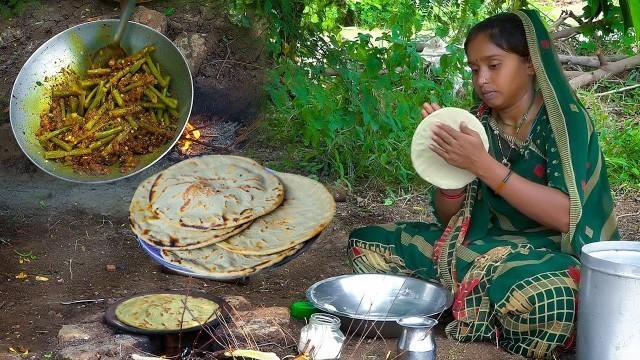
<point>166,311</point>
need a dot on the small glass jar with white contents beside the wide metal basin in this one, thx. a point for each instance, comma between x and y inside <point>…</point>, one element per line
<point>321,338</point>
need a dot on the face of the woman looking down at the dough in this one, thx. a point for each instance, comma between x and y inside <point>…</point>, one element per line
<point>500,78</point>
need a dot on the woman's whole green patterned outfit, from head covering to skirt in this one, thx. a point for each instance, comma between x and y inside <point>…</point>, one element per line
<point>514,281</point>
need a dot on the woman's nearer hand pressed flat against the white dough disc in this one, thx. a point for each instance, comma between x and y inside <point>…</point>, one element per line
<point>463,149</point>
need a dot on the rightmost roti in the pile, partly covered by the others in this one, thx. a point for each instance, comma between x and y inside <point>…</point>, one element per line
<point>306,210</point>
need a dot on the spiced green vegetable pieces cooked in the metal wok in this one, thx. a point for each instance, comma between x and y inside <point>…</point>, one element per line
<point>110,114</point>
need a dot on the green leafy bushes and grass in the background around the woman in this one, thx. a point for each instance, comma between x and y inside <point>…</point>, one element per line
<point>348,108</point>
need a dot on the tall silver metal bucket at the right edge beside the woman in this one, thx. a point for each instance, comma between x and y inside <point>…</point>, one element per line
<point>608,316</point>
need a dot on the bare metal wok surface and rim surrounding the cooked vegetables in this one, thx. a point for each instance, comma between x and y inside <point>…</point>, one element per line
<point>72,48</point>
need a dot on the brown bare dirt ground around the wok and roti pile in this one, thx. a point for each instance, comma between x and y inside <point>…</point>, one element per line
<point>75,230</point>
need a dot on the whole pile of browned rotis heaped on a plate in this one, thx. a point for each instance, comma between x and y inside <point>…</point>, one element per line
<point>226,217</point>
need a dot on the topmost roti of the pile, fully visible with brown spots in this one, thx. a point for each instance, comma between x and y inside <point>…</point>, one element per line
<point>214,191</point>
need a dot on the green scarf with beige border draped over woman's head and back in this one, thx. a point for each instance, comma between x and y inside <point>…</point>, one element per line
<point>591,217</point>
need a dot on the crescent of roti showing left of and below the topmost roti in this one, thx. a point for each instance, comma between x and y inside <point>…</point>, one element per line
<point>161,233</point>
